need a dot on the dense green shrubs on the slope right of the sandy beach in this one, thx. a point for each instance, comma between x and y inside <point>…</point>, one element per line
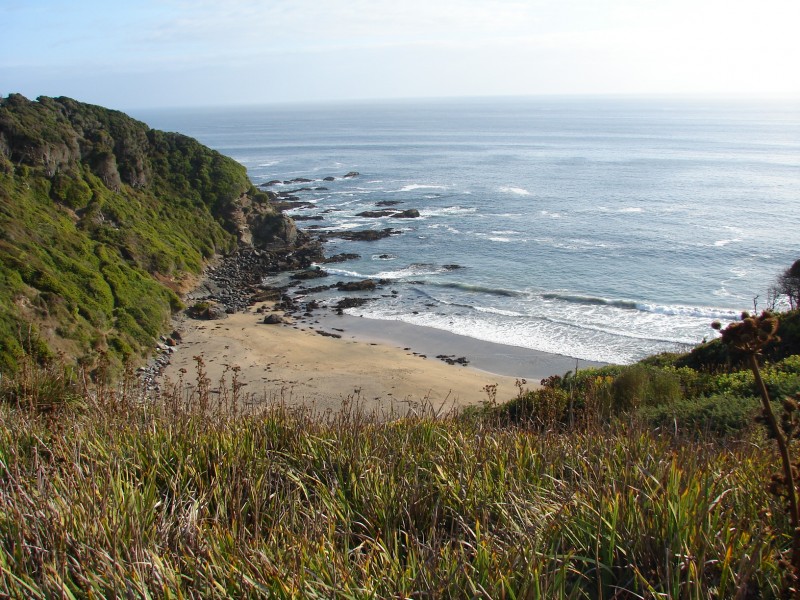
<point>708,390</point>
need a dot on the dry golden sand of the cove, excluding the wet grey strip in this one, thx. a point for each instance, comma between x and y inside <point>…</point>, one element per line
<point>285,362</point>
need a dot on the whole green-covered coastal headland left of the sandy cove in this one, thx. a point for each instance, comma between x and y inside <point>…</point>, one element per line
<point>104,222</point>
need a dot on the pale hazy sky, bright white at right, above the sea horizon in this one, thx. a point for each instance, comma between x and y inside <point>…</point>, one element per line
<point>150,53</point>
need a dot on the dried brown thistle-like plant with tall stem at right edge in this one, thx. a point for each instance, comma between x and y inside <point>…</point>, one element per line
<point>749,336</point>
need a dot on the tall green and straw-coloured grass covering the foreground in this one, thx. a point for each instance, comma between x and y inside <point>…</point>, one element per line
<point>194,496</point>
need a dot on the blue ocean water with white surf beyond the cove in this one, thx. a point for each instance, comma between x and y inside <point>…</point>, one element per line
<point>602,229</point>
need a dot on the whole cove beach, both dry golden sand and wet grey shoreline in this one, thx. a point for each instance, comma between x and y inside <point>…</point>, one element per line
<point>370,363</point>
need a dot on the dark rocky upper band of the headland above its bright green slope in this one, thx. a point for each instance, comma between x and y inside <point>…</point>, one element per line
<point>60,136</point>
